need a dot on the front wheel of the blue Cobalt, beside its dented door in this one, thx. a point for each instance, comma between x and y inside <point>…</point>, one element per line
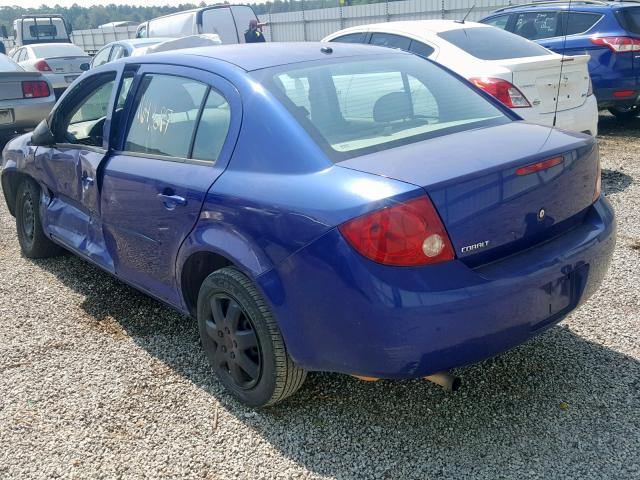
<point>34,243</point>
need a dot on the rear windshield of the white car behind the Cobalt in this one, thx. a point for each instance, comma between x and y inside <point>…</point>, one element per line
<point>488,43</point>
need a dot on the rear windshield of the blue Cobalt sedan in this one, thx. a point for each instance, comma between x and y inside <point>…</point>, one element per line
<point>369,104</point>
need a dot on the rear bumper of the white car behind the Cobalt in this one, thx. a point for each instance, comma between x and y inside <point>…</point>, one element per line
<point>581,119</point>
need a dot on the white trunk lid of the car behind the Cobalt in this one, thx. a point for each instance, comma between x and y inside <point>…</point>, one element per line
<point>543,79</point>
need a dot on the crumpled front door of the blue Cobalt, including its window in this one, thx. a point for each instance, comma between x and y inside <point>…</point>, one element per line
<point>71,166</point>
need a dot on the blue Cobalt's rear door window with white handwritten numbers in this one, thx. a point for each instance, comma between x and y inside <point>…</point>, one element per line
<point>164,117</point>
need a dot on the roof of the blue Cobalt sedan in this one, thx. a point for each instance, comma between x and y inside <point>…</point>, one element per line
<point>264,55</point>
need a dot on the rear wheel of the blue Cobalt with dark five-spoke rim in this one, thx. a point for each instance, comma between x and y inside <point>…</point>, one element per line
<point>243,342</point>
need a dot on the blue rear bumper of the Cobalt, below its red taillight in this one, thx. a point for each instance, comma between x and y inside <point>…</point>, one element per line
<point>341,312</point>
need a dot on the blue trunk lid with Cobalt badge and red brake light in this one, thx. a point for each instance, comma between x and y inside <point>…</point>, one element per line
<point>488,209</point>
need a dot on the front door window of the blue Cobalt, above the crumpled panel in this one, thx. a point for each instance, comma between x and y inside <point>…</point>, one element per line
<point>84,112</point>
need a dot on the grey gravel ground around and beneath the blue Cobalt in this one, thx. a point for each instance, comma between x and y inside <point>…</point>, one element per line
<point>99,381</point>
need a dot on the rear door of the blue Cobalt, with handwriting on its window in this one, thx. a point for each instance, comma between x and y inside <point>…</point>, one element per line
<point>172,149</point>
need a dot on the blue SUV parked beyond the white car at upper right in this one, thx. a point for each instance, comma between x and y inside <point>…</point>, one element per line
<point>608,31</point>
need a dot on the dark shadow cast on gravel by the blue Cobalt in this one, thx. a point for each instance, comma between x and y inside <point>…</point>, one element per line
<point>556,400</point>
